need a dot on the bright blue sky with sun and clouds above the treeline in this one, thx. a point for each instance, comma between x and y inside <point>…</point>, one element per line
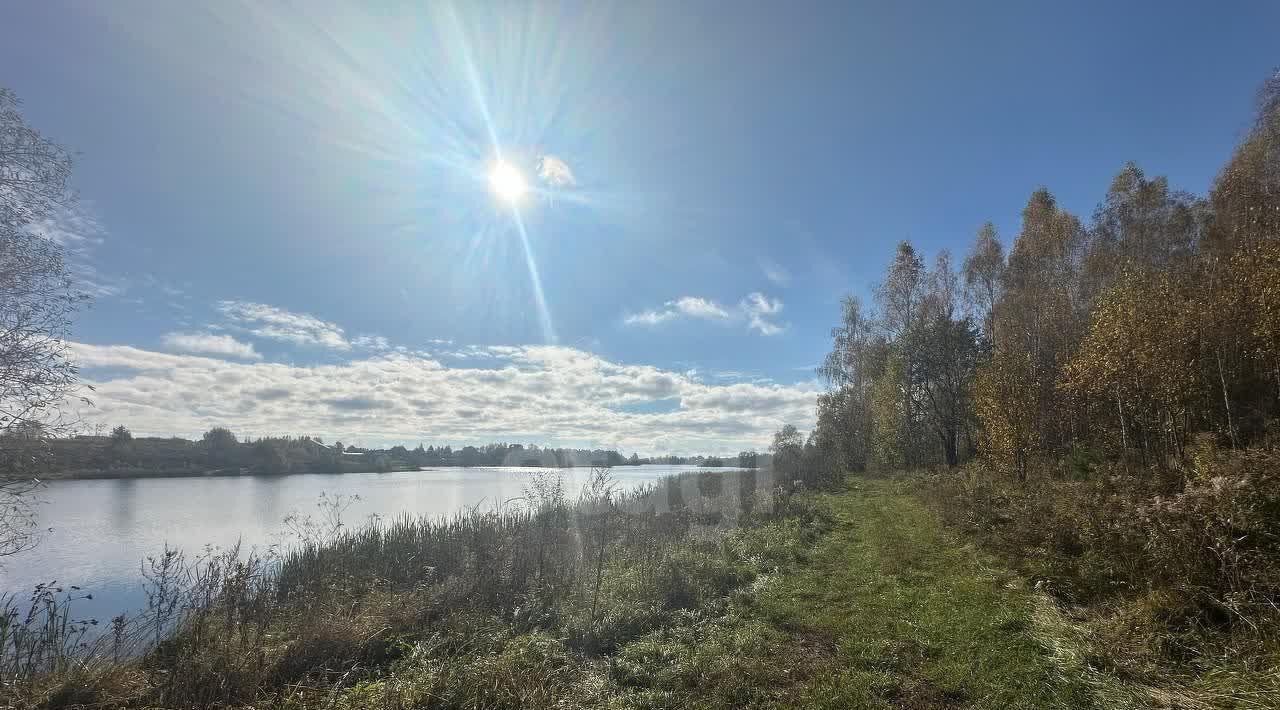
<point>282,195</point>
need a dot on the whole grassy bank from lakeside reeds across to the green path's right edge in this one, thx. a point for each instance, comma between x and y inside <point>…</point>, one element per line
<point>707,592</point>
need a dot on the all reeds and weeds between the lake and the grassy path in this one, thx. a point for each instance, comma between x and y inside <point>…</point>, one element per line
<point>514,608</point>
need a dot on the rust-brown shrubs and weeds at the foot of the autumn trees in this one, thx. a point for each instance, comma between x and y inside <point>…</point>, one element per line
<point>1204,561</point>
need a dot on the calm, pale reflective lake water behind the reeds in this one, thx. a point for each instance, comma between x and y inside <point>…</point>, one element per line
<point>104,529</point>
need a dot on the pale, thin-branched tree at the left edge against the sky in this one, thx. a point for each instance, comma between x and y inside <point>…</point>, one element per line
<point>38,303</point>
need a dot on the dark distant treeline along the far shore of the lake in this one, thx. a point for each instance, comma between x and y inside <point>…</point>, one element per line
<point>220,450</point>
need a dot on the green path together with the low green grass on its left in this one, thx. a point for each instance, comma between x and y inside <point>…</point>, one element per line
<point>860,599</point>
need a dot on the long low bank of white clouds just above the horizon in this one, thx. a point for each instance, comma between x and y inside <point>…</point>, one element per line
<point>547,395</point>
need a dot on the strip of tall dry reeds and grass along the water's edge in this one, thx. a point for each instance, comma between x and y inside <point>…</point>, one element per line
<point>345,604</point>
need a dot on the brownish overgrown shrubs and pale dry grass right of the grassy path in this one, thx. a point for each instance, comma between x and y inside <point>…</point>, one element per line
<point>1176,594</point>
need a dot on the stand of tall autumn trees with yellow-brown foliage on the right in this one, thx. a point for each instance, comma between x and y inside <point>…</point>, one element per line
<point>1128,337</point>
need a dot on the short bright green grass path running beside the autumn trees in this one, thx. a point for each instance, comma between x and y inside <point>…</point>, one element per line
<point>917,620</point>
